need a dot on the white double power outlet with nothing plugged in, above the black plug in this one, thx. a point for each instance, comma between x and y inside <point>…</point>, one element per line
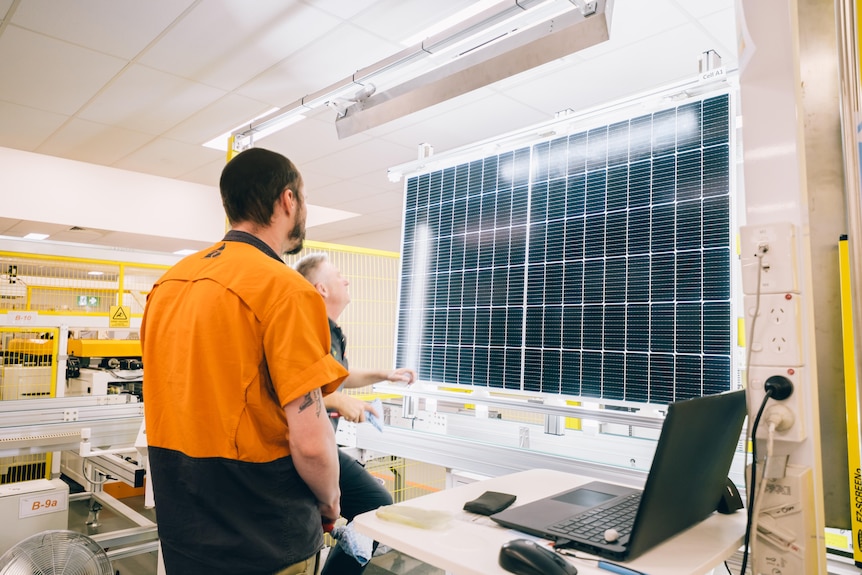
<point>777,330</point>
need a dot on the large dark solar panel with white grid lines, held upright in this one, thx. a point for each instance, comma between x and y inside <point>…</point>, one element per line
<point>593,265</point>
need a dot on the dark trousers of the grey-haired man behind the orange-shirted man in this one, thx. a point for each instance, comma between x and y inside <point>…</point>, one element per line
<point>360,492</point>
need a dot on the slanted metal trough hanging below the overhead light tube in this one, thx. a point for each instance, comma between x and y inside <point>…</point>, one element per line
<point>501,58</point>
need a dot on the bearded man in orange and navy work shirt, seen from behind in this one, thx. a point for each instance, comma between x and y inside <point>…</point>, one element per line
<point>243,459</point>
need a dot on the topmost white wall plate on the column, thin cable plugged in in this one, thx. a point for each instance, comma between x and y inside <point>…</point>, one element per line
<point>772,248</point>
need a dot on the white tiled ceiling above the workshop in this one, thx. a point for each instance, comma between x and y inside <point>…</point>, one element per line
<point>140,85</point>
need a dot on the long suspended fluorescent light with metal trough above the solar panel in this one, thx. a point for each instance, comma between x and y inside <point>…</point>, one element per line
<point>483,24</point>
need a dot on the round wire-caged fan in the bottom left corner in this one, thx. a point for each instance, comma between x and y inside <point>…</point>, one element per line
<point>55,553</point>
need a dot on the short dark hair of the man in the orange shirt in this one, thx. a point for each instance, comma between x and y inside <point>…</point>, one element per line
<point>251,183</point>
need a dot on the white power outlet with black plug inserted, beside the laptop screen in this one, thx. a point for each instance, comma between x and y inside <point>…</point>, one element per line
<point>757,376</point>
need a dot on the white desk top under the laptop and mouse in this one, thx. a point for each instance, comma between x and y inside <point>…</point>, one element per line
<point>470,544</point>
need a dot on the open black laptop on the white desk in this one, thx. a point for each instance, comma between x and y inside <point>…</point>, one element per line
<point>686,481</point>
